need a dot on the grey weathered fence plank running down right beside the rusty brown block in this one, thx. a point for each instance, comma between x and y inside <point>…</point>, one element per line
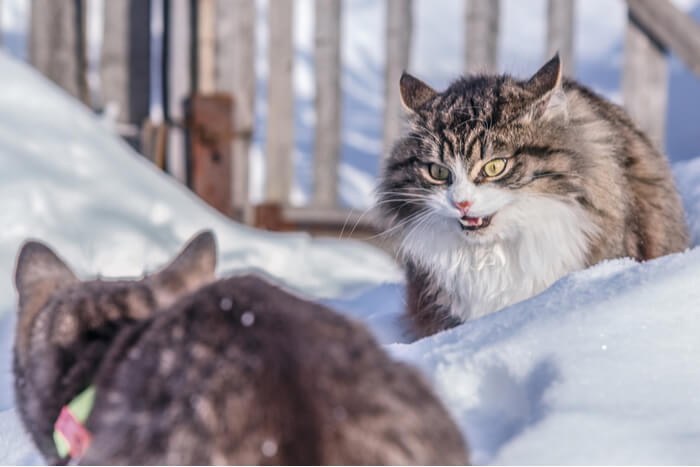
<point>235,73</point>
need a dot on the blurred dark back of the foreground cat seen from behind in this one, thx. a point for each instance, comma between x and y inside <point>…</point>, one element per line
<point>244,372</point>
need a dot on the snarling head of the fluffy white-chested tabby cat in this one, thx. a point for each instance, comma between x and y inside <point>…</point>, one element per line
<point>484,159</point>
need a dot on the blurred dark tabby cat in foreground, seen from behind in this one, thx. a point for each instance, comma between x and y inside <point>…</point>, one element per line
<point>234,372</point>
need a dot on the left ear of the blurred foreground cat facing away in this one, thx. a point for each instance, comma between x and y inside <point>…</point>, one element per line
<point>38,274</point>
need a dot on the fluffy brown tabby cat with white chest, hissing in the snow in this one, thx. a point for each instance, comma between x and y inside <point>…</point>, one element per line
<point>502,186</point>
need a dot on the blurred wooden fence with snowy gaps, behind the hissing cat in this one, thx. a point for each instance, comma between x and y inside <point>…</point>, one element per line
<point>278,112</point>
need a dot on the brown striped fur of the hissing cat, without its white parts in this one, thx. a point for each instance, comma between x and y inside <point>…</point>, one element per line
<point>584,151</point>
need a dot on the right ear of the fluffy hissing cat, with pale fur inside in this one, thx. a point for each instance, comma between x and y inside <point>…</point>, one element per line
<point>549,98</point>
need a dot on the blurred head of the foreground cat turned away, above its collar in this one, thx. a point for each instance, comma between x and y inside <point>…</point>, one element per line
<point>65,326</point>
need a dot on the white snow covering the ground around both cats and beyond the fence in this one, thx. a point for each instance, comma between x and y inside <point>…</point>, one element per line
<point>601,368</point>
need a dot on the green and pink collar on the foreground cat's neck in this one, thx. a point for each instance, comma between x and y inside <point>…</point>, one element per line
<point>70,436</point>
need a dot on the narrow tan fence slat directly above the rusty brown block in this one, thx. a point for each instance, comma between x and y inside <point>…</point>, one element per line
<point>206,46</point>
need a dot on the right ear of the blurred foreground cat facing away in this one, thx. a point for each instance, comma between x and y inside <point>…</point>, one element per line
<point>192,268</point>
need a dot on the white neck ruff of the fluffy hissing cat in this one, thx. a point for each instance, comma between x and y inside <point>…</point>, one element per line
<point>533,243</point>
